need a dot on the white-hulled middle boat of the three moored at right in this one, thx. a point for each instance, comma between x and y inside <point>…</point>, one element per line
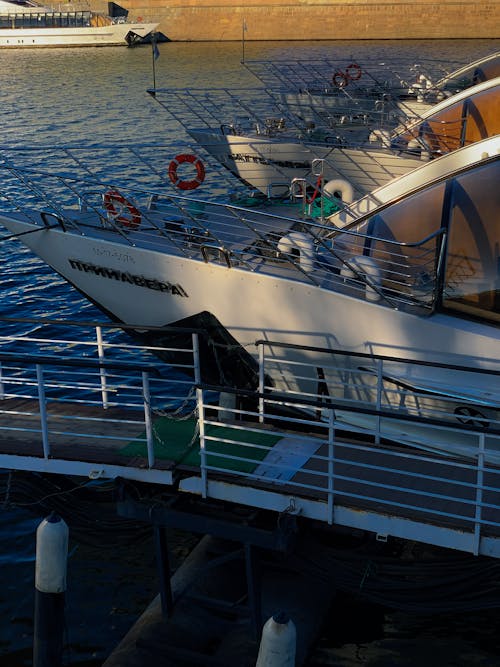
<point>268,155</point>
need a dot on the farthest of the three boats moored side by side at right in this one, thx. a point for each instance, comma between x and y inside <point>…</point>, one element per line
<point>317,90</point>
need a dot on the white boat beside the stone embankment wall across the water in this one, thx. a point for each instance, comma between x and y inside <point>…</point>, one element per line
<point>26,24</point>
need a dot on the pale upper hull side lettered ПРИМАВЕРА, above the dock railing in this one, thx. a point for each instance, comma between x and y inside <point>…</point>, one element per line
<point>144,287</point>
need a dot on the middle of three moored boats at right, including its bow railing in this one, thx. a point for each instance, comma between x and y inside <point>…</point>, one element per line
<point>268,153</point>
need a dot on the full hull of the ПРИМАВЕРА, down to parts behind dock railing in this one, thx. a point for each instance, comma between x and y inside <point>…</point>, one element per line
<point>148,288</point>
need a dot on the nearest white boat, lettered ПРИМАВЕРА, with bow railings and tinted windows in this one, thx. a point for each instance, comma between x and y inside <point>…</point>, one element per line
<point>410,272</point>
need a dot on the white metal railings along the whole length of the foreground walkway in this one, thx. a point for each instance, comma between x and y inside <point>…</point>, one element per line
<point>345,439</point>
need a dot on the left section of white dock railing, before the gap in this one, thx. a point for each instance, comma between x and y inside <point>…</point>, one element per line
<point>88,393</point>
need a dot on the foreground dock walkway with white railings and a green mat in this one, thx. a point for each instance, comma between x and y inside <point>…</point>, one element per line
<point>364,466</point>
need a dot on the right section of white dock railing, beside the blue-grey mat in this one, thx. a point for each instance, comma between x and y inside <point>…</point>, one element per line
<point>359,436</point>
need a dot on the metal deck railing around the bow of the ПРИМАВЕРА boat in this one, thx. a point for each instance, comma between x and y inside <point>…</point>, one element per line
<point>258,239</point>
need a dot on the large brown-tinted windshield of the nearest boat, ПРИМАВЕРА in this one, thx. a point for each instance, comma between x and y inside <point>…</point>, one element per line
<point>439,246</point>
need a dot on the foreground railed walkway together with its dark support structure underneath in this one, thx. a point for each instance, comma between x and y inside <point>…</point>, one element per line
<point>273,477</point>
